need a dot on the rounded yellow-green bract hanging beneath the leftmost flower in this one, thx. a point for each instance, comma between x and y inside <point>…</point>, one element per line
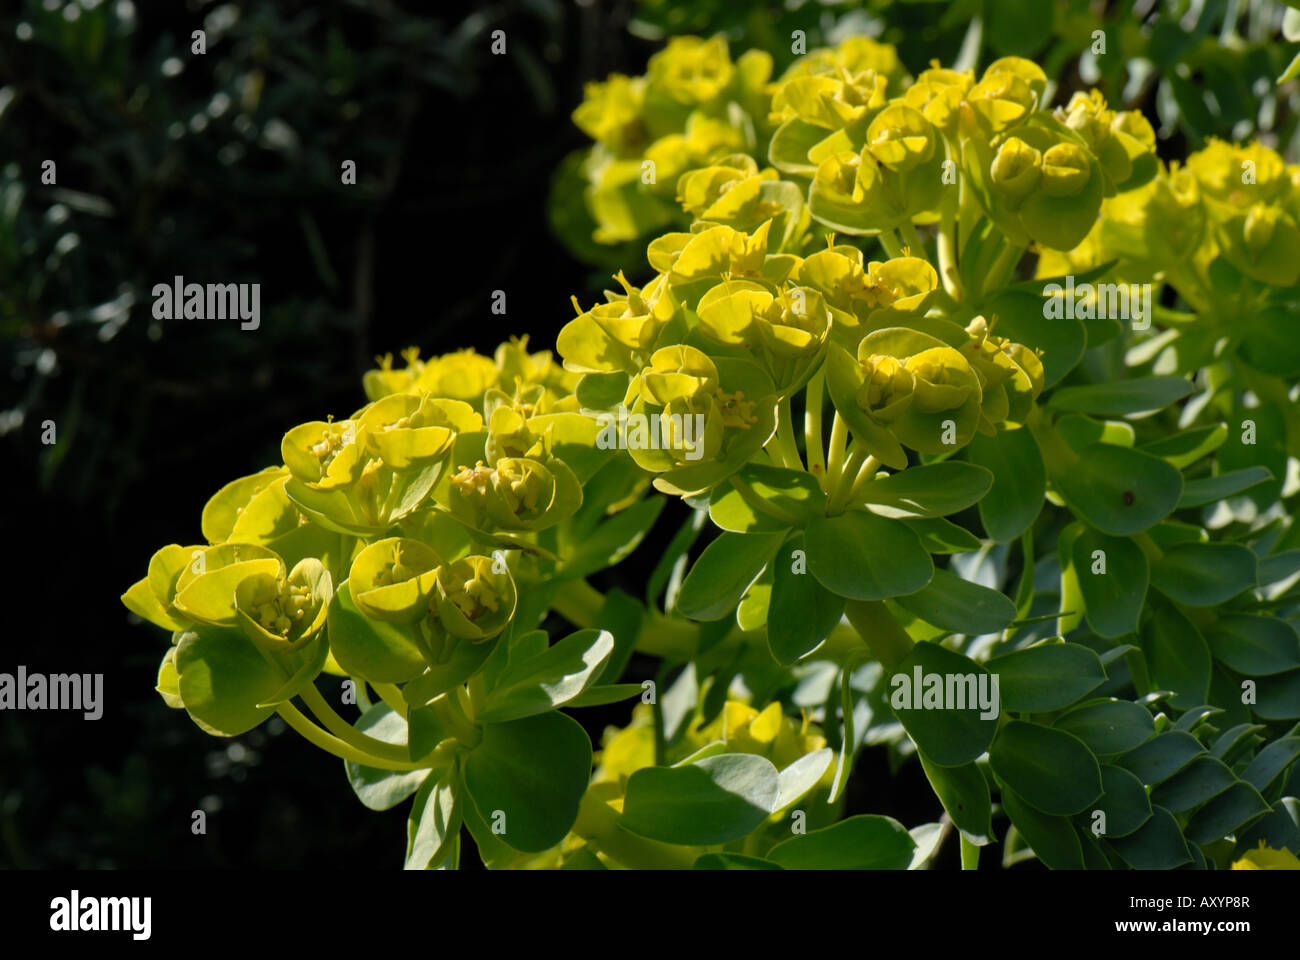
<point>223,678</point>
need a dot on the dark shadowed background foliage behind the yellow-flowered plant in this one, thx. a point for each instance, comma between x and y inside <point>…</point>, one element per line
<point>226,168</point>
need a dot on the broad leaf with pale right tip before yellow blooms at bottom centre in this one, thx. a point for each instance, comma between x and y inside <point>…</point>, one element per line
<point>716,801</point>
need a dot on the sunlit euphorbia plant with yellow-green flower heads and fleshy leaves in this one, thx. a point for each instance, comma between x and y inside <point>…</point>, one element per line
<point>1045,550</point>
